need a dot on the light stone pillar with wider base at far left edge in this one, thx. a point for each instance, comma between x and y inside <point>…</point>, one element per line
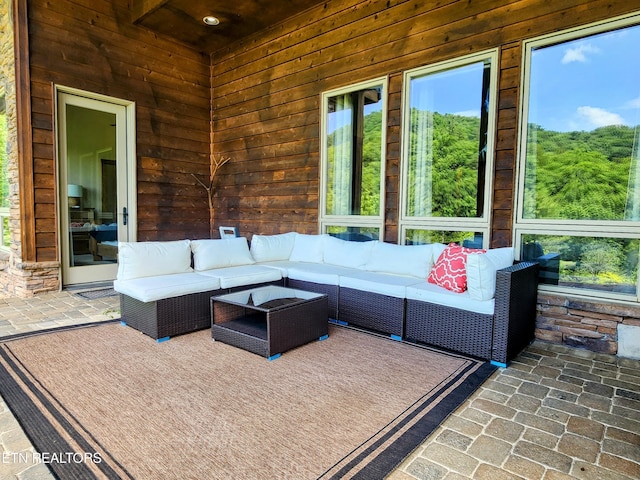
<point>17,278</point>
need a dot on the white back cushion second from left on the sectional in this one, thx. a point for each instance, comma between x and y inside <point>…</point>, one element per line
<point>225,252</point>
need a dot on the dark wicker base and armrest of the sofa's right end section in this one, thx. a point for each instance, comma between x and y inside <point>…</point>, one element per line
<point>498,337</point>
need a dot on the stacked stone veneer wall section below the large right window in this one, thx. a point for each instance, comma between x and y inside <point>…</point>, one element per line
<point>583,323</point>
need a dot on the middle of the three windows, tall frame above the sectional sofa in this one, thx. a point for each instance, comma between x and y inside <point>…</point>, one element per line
<point>448,132</point>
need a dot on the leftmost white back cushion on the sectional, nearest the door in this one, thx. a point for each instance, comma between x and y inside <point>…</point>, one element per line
<point>150,259</point>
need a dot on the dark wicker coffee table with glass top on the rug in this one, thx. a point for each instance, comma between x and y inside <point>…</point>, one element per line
<point>269,320</point>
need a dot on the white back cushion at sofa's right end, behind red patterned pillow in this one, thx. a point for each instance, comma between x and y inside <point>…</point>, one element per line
<point>481,271</point>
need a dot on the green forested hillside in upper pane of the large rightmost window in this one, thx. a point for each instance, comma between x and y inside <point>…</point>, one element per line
<point>579,175</point>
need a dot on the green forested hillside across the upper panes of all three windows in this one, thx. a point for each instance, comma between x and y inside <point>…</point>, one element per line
<point>577,175</point>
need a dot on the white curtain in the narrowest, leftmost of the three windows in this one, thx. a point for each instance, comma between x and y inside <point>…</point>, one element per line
<point>341,164</point>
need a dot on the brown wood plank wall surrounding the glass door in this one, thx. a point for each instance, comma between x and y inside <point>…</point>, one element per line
<point>92,45</point>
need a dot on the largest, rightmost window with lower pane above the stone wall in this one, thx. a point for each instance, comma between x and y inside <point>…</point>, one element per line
<point>579,160</point>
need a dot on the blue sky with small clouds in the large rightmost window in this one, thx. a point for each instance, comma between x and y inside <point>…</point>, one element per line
<point>587,83</point>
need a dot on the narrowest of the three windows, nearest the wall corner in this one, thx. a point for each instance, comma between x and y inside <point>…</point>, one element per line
<point>352,153</point>
